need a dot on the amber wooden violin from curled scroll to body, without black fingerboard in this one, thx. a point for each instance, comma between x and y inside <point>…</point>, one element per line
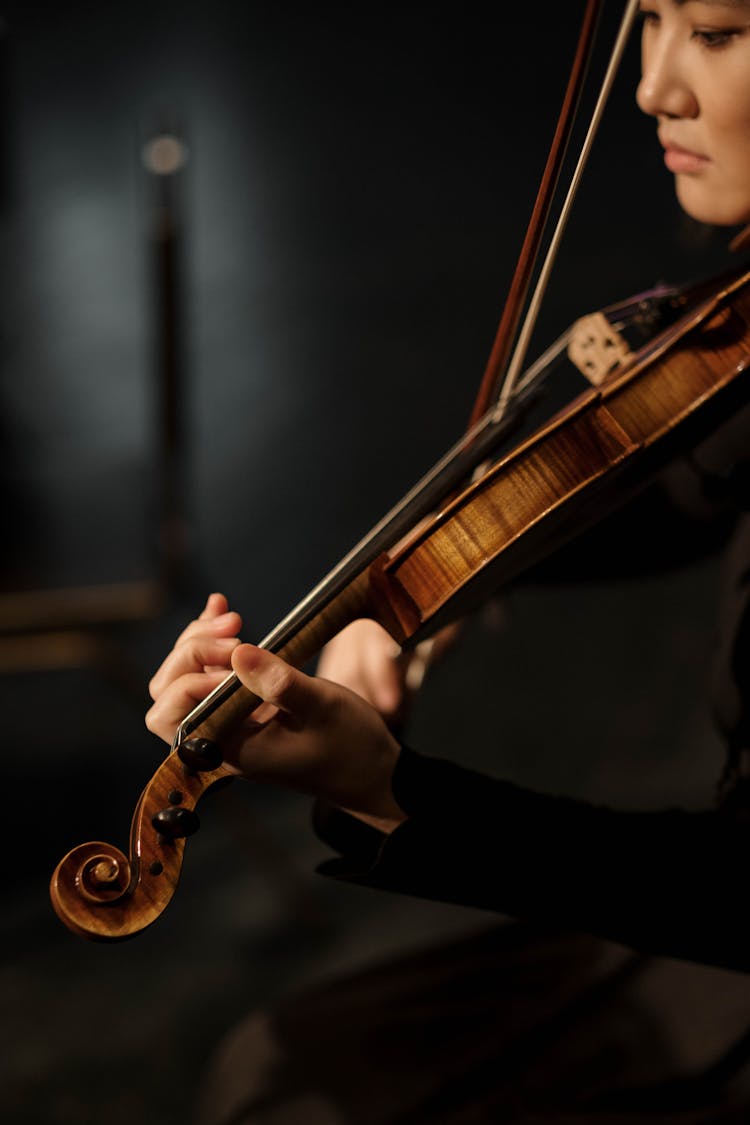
<point>572,471</point>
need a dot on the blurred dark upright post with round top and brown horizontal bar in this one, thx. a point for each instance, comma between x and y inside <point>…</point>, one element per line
<point>79,627</point>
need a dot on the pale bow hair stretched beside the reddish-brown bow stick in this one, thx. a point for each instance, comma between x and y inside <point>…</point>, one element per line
<point>519,357</point>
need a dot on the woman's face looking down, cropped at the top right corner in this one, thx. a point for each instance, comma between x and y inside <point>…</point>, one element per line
<point>697,83</point>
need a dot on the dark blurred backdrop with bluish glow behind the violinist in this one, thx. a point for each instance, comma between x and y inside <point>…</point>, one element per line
<point>358,186</point>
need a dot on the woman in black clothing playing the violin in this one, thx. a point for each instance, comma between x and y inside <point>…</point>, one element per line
<point>428,827</point>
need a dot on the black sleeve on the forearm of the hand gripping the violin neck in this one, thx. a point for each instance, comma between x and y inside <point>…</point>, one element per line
<point>670,883</point>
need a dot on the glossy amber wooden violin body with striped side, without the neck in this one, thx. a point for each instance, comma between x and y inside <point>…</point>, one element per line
<point>593,456</point>
